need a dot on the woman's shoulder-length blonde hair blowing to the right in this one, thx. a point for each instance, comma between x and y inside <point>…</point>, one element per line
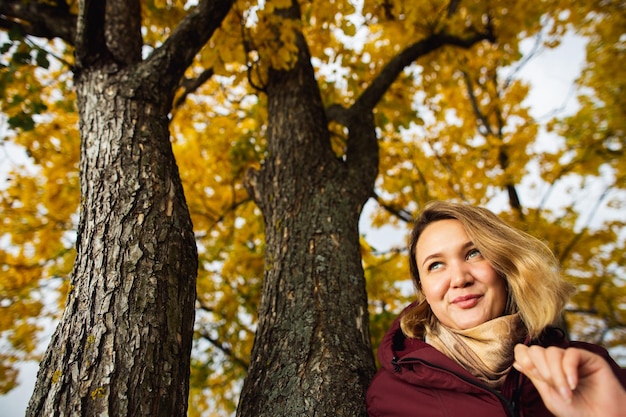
<point>534,285</point>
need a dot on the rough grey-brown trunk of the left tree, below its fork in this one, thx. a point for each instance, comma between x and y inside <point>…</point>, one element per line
<point>123,344</point>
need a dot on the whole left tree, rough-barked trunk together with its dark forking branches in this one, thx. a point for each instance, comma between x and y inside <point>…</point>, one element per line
<point>123,344</point>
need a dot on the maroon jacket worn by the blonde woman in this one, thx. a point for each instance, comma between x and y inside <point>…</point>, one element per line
<point>418,380</point>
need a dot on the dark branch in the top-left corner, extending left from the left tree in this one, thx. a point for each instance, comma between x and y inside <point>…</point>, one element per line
<point>39,19</point>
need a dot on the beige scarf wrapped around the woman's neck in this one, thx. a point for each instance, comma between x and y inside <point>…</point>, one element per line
<point>486,351</point>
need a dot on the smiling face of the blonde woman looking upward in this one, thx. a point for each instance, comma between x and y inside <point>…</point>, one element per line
<point>461,287</point>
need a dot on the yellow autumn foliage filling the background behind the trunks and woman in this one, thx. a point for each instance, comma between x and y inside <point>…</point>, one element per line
<point>441,82</point>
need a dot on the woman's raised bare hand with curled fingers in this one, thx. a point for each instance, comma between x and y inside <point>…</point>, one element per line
<point>572,382</point>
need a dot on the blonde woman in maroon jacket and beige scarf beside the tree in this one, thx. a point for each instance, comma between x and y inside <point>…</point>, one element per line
<point>483,287</point>
